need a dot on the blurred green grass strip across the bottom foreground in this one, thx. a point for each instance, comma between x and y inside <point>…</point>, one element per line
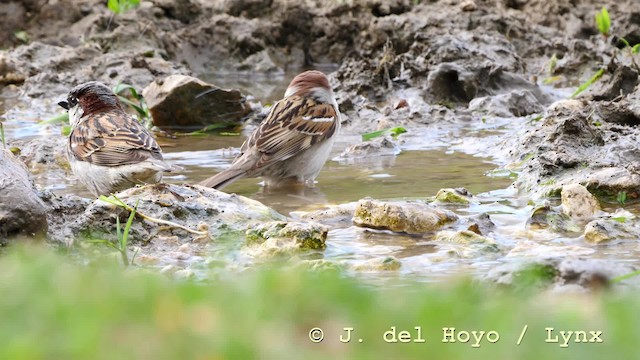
<point>51,307</point>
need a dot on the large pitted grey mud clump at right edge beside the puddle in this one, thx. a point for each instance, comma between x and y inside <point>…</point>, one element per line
<point>573,144</point>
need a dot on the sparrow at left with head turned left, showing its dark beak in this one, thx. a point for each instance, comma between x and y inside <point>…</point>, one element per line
<point>108,150</point>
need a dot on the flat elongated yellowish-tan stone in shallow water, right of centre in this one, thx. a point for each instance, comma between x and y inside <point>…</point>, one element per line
<point>412,217</point>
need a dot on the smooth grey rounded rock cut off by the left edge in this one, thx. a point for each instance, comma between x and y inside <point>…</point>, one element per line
<point>21,210</point>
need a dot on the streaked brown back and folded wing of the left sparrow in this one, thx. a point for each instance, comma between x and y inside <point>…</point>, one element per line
<point>113,139</point>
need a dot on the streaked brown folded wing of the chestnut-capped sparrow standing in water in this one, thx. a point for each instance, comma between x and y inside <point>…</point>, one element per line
<point>293,125</point>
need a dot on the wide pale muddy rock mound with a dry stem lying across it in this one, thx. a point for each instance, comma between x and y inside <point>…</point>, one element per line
<point>226,215</point>
